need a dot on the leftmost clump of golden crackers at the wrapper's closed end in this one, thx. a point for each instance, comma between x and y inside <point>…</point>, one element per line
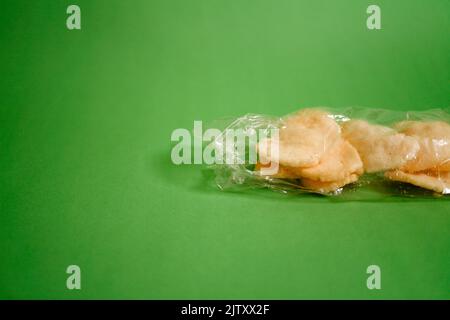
<point>311,149</point>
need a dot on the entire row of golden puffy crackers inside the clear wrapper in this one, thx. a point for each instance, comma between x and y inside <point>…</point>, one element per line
<point>324,155</point>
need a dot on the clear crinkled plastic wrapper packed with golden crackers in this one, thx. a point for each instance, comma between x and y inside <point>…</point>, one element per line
<point>352,151</point>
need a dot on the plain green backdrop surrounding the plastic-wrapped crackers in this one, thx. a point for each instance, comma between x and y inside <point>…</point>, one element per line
<point>85,170</point>
